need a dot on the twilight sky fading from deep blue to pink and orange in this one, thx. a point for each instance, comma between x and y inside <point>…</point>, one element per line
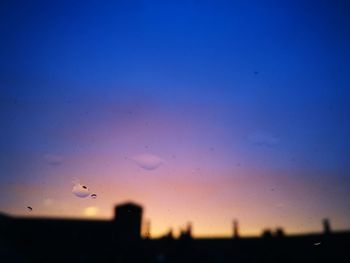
<point>201,111</point>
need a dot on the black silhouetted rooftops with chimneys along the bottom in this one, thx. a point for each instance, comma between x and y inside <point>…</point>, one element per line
<point>25,239</point>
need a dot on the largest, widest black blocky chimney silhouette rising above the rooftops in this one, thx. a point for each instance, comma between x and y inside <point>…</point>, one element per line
<point>128,218</point>
